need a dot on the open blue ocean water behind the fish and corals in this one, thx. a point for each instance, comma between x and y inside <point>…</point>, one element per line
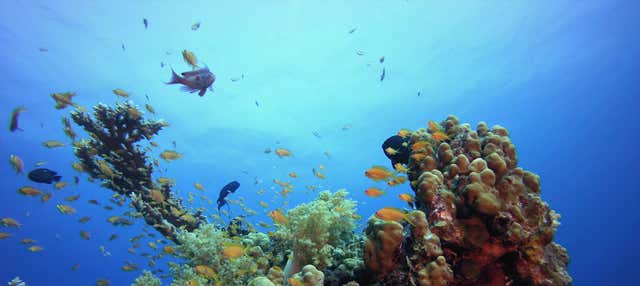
<point>561,76</point>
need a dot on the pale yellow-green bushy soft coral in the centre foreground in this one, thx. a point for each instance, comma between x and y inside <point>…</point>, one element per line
<point>321,233</point>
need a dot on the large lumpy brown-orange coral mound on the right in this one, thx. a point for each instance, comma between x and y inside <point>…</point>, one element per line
<point>485,222</point>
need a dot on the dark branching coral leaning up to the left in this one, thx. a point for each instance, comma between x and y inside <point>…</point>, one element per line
<point>114,155</point>
